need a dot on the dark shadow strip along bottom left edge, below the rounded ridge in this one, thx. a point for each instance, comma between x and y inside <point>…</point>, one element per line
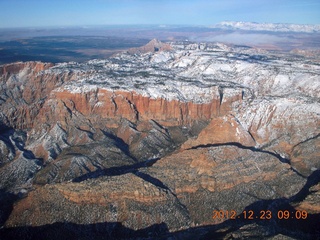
<point>70,231</point>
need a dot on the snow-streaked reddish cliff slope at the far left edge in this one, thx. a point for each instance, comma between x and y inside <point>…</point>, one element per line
<point>24,90</point>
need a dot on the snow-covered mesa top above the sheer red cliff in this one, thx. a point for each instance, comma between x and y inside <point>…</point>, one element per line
<point>194,72</point>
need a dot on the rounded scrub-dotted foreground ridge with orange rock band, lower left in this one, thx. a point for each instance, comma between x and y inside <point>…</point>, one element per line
<point>105,200</point>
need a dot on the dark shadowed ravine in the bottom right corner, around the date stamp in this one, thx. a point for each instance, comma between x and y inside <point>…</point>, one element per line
<point>295,226</point>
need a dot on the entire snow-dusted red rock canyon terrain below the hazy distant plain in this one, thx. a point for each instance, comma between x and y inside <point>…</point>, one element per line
<point>156,141</point>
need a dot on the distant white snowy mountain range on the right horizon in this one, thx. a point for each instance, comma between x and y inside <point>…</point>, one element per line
<point>272,27</point>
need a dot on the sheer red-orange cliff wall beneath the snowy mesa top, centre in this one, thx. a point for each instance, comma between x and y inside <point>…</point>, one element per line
<point>109,107</point>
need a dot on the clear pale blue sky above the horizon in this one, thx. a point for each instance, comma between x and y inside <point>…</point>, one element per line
<point>32,13</point>
